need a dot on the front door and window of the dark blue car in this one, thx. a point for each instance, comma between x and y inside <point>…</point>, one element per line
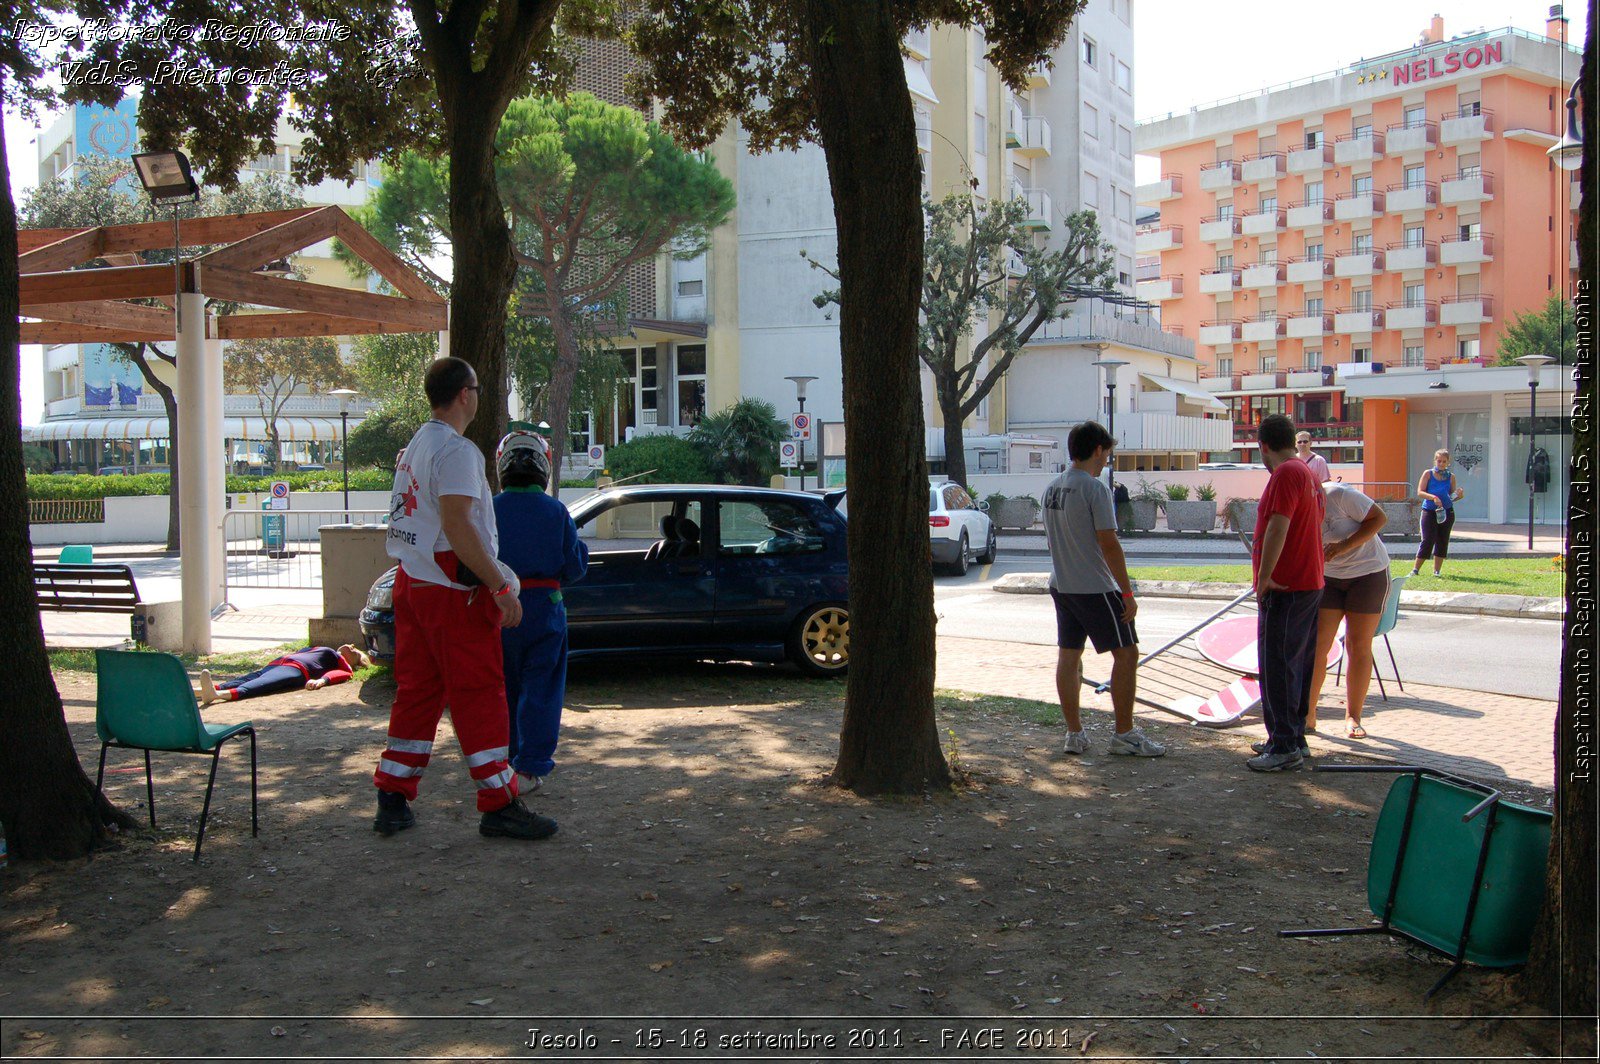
<point>634,596</point>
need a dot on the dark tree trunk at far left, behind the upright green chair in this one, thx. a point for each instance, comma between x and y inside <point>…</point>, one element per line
<point>47,806</point>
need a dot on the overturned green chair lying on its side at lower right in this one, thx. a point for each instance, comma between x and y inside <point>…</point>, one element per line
<point>1454,868</point>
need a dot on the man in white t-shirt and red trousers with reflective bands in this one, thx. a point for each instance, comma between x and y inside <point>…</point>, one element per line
<point>452,599</point>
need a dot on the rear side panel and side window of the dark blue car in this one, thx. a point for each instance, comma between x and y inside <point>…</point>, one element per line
<point>775,558</point>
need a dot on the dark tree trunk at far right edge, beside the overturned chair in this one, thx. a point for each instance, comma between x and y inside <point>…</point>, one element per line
<point>1561,974</point>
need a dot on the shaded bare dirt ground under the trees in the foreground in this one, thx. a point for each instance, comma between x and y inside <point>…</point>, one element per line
<point>710,892</point>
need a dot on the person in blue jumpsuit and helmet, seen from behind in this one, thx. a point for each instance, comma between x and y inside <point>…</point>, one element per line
<point>540,543</point>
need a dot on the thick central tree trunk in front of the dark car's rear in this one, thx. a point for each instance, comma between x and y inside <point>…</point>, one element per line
<point>890,742</point>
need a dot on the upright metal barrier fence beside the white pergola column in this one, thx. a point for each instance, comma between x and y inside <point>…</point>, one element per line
<point>281,548</point>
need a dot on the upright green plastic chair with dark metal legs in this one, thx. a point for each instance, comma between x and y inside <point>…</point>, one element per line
<point>145,703</point>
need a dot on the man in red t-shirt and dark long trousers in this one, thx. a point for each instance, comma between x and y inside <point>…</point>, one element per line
<point>1287,566</point>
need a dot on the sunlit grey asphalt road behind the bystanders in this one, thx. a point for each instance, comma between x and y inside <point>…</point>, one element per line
<point>1492,655</point>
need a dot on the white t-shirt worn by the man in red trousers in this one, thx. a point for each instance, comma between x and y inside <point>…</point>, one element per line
<point>438,462</point>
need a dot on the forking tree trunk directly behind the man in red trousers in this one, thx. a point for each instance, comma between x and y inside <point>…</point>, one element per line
<point>484,268</point>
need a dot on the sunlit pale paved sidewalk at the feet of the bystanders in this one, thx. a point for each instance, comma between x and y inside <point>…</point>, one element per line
<point>1494,738</point>
